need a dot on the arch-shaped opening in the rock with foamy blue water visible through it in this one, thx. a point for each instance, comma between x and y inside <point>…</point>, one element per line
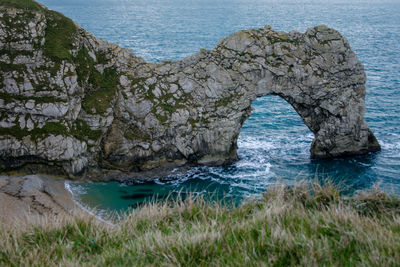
<point>274,139</point>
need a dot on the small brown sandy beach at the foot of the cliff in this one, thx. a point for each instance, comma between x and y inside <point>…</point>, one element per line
<point>25,197</point>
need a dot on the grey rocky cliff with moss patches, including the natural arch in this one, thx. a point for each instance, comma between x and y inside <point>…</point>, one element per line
<point>73,104</point>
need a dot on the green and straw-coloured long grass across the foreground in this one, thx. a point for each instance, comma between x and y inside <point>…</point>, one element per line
<point>306,225</point>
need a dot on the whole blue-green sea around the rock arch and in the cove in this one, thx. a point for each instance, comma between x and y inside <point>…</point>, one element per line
<point>274,143</point>
